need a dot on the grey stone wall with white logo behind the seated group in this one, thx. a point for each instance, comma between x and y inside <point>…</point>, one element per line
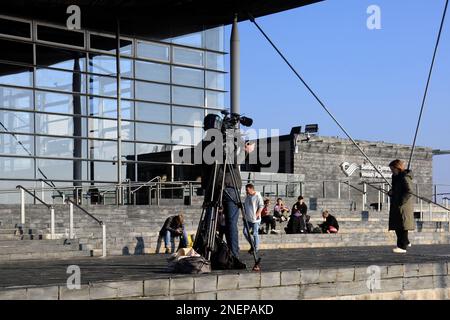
<point>321,159</point>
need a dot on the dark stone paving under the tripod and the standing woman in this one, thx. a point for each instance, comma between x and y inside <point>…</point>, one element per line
<point>143,267</point>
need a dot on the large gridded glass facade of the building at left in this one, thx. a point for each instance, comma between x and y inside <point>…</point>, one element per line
<point>58,103</point>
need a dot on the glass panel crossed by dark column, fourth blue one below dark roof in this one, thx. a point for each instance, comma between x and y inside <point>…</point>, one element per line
<point>60,147</point>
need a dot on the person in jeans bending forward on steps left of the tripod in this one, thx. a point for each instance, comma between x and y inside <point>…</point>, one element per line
<point>173,228</point>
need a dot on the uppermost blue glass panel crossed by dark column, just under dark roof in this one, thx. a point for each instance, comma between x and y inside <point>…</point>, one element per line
<point>60,80</point>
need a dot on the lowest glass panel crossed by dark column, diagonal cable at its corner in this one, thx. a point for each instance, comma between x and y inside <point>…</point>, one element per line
<point>61,169</point>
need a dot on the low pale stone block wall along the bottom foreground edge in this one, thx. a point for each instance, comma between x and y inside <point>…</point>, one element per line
<point>409,281</point>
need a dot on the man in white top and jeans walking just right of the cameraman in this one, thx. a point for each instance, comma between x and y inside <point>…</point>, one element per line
<point>254,205</point>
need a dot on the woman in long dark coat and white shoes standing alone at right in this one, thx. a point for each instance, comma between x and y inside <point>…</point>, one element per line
<point>401,213</point>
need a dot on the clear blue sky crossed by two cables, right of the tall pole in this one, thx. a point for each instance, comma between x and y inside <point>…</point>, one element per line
<point>372,80</point>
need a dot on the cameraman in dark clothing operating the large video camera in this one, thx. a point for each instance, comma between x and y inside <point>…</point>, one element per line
<point>212,147</point>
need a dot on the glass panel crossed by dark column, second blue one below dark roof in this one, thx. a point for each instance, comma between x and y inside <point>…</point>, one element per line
<point>60,103</point>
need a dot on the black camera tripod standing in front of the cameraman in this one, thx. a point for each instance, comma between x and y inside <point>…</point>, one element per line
<point>206,231</point>
